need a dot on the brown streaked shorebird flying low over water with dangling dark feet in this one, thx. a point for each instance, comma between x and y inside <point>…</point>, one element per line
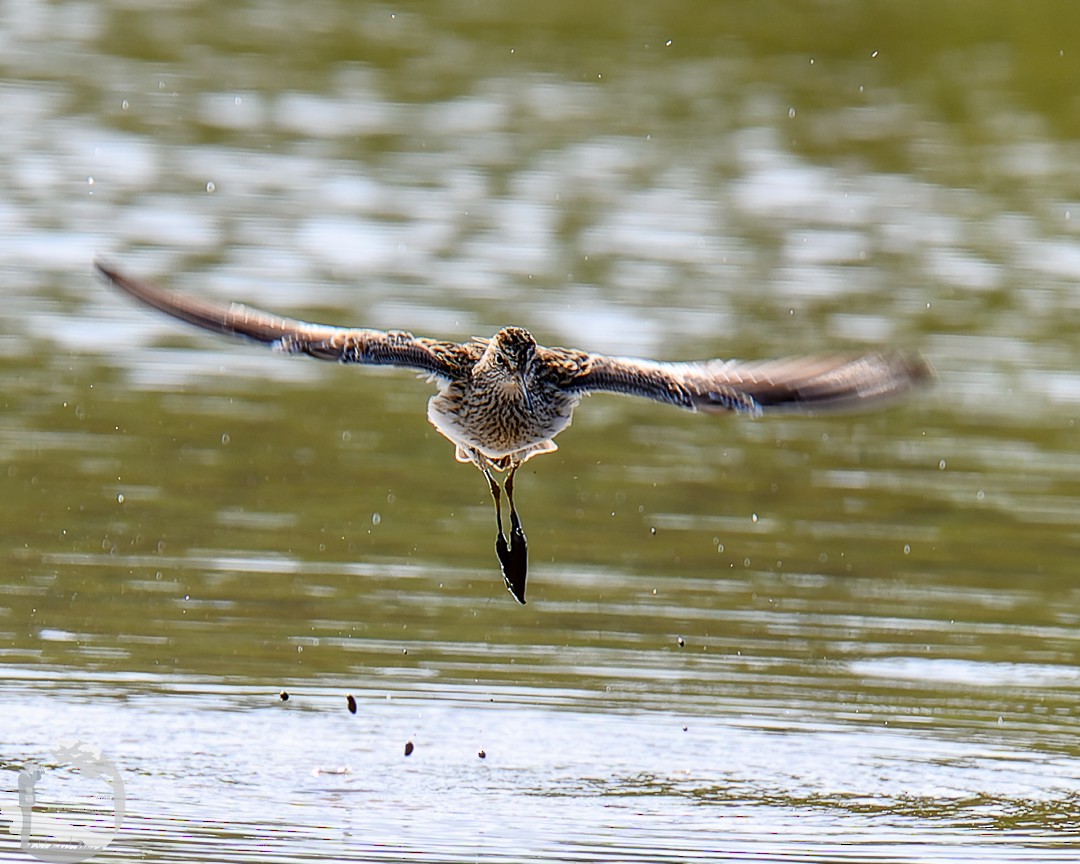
<point>504,400</point>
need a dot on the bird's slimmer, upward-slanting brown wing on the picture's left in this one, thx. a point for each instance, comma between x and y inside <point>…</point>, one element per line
<point>396,348</point>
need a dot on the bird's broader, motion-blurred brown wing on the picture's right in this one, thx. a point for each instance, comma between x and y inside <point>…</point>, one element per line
<point>715,386</point>
